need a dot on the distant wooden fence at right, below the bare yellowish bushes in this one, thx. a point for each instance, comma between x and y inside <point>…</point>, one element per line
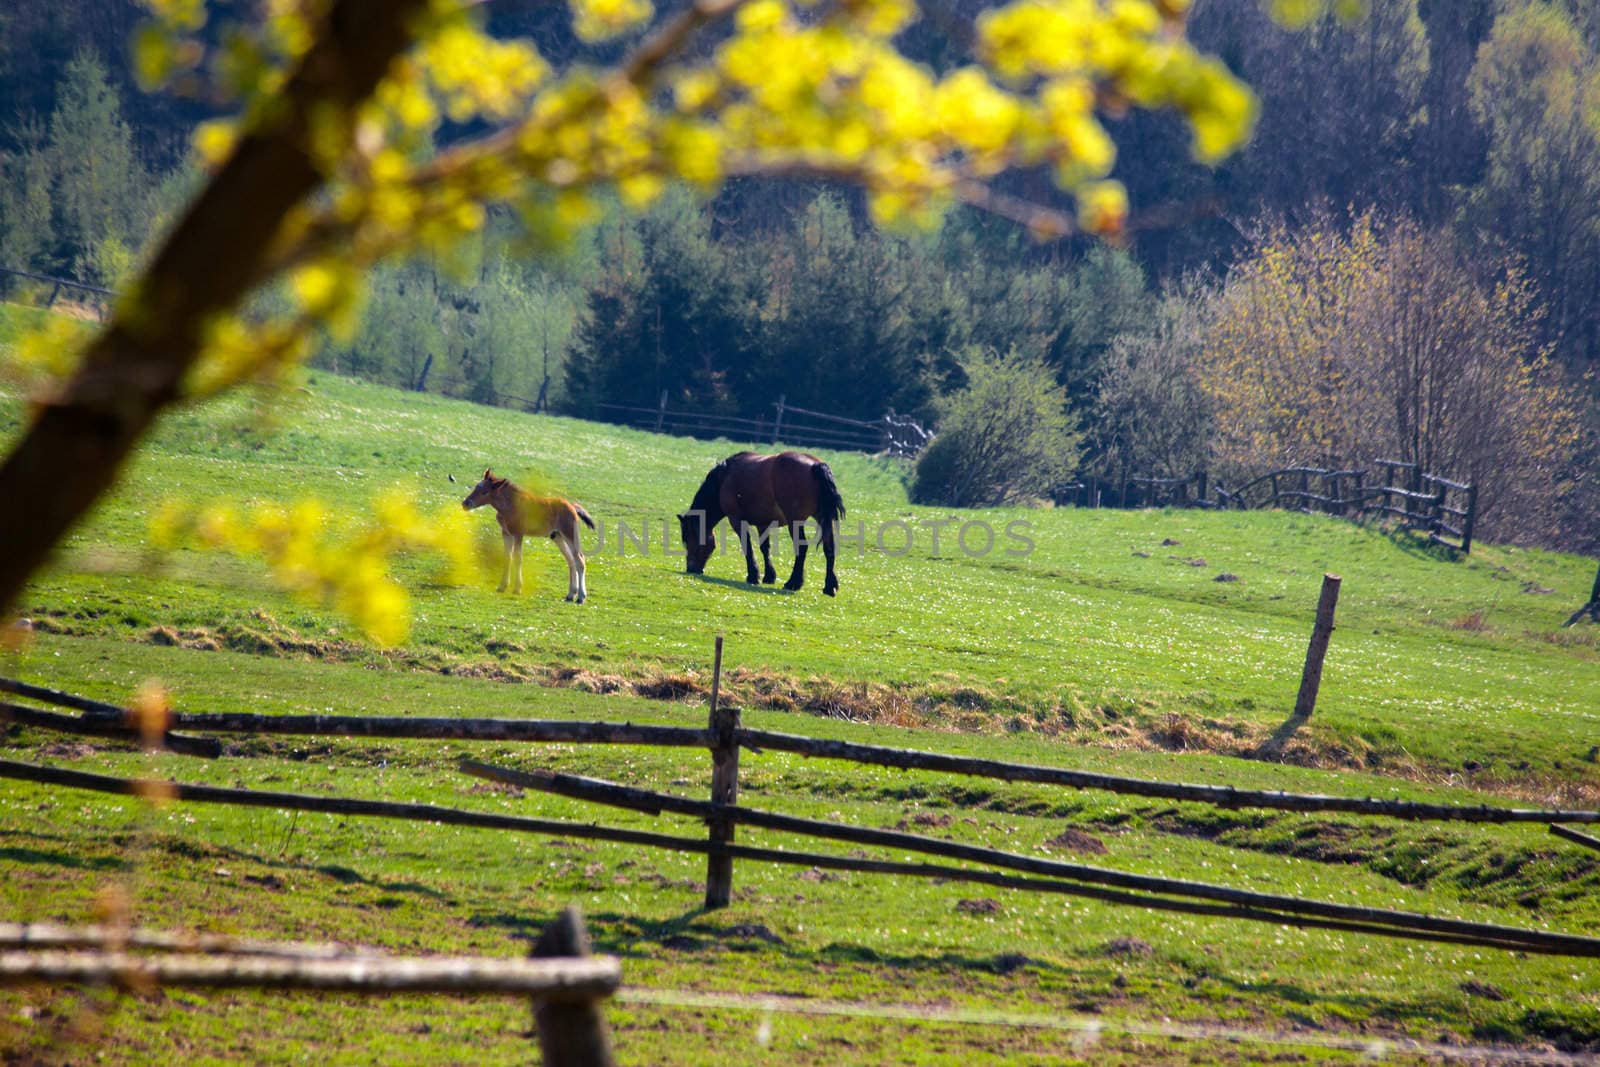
<point>1439,508</point>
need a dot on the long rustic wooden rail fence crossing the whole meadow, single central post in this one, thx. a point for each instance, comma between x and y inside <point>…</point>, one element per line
<point>726,738</point>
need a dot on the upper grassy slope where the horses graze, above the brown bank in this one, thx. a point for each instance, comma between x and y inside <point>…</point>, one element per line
<point>1113,628</point>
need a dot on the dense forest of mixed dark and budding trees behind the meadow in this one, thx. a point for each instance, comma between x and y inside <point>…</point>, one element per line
<point>1436,143</point>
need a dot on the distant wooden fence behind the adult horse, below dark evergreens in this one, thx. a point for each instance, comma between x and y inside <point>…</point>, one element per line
<point>894,434</point>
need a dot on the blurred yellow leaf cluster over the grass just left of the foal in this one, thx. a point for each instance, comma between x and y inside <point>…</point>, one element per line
<point>329,556</point>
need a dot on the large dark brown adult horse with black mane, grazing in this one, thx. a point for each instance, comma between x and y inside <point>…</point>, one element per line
<point>758,495</point>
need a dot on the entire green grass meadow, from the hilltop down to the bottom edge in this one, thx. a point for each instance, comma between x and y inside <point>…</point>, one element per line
<point>1110,647</point>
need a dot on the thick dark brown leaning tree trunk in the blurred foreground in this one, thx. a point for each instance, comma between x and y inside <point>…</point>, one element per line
<point>217,255</point>
